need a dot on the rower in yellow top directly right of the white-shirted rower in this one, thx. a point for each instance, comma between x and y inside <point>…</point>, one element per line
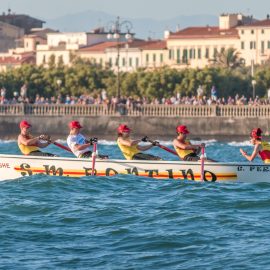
<point>131,148</point>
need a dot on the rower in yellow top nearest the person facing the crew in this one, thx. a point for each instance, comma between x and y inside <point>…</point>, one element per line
<point>185,150</point>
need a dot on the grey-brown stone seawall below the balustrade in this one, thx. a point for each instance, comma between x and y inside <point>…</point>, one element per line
<point>104,127</point>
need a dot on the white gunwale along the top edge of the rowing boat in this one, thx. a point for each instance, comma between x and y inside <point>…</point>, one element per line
<point>133,161</point>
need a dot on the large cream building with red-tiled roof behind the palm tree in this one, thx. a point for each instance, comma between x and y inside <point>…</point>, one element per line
<point>197,47</point>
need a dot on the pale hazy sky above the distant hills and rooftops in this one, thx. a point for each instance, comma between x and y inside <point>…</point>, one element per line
<point>155,9</point>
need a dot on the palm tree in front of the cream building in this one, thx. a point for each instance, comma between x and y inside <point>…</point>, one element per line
<point>228,58</point>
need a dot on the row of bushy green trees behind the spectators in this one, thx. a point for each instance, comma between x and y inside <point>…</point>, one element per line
<point>84,77</point>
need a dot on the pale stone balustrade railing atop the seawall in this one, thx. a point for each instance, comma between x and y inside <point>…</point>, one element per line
<point>243,111</point>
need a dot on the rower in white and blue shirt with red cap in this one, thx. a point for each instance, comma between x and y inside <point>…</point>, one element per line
<point>78,144</point>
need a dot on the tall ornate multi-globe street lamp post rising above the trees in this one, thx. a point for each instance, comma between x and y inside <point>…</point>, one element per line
<point>116,33</point>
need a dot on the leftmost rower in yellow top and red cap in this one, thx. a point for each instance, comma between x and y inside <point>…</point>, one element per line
<point>30,145</point>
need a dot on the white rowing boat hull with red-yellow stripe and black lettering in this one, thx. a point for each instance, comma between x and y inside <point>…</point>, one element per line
<point>16,166</point>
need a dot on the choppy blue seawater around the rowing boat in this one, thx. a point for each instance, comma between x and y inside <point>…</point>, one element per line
<point>129,222</point>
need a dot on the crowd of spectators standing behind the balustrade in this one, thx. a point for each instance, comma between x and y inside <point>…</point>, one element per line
<point>129,102</point>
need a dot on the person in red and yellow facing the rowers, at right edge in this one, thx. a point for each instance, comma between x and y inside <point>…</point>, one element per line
<point>261,148</point>
